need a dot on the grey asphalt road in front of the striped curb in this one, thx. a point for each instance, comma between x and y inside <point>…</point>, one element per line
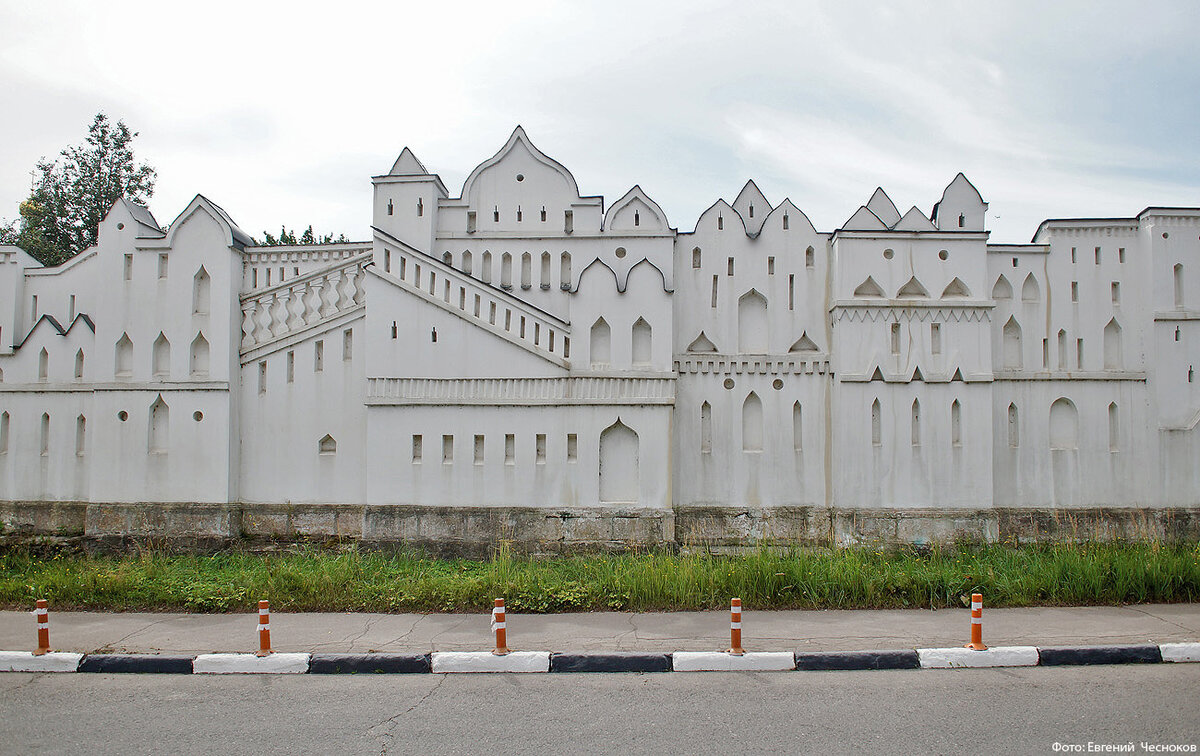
<point>1013,711</point>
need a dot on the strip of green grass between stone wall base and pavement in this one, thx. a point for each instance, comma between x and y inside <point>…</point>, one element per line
<point>316,580</point>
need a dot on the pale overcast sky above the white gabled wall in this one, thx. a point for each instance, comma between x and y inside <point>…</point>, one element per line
<point>283,112</point>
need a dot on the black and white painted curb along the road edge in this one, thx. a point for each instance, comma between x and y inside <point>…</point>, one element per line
<point>597,662</point>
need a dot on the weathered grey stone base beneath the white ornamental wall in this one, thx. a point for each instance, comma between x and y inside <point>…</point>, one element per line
<point>479,531</point>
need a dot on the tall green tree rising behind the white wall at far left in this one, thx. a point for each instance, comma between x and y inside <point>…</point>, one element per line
<point>74,193</point>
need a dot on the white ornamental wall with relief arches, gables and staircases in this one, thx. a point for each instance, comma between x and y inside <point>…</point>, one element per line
<point>524,346</point>
